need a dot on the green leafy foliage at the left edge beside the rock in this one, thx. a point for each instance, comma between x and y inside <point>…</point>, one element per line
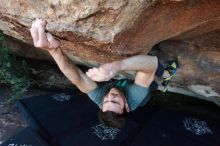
<point>13,72</point>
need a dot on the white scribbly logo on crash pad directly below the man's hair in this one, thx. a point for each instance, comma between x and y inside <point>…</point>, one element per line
<point>105,133</point>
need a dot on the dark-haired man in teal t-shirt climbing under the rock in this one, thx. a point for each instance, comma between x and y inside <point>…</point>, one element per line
<point>117,98</point>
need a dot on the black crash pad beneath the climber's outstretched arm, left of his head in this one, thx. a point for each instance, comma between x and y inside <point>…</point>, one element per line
<point>55,115</point>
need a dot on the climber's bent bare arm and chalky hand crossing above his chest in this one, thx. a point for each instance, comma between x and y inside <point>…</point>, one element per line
<point>144,65</point>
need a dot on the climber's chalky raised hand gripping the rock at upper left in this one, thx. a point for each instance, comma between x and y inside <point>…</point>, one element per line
<point>42,39</point>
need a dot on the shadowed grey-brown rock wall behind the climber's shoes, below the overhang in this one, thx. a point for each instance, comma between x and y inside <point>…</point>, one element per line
<point>199,60</point>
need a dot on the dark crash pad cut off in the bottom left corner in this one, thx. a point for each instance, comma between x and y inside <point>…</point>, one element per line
<point>26,137</point>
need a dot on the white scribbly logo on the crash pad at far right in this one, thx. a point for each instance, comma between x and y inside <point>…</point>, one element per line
<point>196,126</point>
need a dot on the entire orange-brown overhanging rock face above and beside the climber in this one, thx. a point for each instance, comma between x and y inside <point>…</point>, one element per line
<point>93,32</point>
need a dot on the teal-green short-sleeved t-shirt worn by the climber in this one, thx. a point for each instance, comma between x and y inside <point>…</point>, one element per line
<point>136,95</point>
